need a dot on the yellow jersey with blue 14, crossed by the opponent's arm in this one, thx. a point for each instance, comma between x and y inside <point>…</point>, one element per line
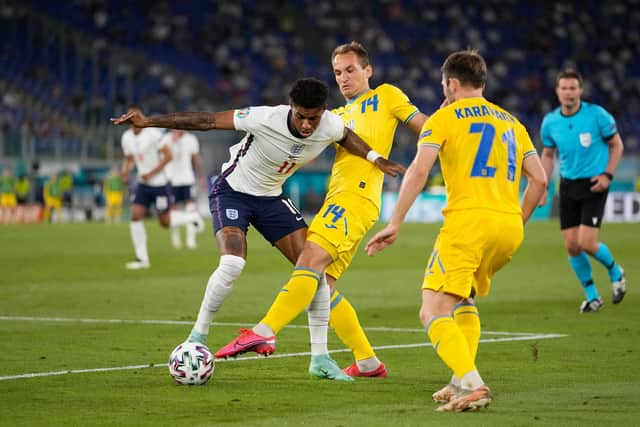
<point>374,117</point>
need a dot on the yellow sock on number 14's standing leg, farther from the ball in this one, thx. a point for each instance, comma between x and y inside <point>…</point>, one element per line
<point>344,321</point>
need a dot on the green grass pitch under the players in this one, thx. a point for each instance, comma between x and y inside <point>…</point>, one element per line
<point>55,278</point>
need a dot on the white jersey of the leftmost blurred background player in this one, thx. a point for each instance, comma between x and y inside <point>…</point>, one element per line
<point>145,149</point>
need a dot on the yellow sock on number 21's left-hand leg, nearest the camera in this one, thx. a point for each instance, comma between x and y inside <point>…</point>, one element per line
<point>451,345</point>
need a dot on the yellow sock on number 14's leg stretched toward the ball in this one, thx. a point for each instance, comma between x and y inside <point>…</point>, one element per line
<point>293,298</point>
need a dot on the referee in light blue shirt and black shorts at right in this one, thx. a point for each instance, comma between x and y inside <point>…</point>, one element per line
<point>586,138</point>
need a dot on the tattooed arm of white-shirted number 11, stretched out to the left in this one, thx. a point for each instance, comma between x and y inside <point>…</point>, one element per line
<point>183,121</point>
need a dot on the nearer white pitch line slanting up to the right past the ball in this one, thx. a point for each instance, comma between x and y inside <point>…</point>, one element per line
<point>273,356</point>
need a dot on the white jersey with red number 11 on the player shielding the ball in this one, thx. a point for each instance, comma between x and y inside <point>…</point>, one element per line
<point>268,154</point>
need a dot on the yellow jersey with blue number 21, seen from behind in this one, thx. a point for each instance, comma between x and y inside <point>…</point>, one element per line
<point>482,147</point>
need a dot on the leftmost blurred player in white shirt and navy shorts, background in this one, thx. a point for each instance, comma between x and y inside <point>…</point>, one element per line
<point>144,149</point>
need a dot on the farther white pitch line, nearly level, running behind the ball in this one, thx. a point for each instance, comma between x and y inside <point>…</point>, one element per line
<point>190,322</point>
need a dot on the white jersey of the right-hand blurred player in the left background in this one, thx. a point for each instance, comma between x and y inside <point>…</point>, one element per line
<point>180,168</point>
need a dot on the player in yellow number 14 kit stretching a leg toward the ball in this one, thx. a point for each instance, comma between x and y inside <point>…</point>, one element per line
<point>351,208</point>
